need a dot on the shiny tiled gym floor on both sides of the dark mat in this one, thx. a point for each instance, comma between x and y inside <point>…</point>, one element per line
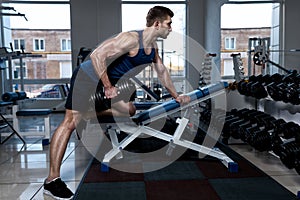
<point>24,168</point>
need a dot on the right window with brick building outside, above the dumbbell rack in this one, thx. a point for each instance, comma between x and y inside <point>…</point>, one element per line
<point>237,16</point>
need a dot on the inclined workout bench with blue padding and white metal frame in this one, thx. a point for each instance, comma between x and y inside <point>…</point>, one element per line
<point>137,126</point>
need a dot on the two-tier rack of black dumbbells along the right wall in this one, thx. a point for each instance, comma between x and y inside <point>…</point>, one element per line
<point>265,90</point>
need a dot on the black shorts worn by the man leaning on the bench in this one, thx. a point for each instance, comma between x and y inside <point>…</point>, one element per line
<point>83,87</point>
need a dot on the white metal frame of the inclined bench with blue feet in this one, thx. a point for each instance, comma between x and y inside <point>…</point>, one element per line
<point>135,130</point>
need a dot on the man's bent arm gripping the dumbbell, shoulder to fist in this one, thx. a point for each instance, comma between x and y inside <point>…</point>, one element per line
<point>110,50</point>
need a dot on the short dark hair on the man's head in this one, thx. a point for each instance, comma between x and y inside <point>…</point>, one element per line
<point>158,13</point>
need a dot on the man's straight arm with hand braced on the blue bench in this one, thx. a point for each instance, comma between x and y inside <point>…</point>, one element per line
<point>165,78</point>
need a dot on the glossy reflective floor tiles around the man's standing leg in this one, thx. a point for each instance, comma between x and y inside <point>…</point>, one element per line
<point>24,168</point>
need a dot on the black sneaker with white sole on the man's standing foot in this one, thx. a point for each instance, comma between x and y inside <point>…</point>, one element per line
<point>57,189</point>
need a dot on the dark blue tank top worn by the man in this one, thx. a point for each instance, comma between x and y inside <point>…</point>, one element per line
<point>131,66</point>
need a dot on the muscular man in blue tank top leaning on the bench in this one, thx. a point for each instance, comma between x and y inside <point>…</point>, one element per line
<point>109,62</point>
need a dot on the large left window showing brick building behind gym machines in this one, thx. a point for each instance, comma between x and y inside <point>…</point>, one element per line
<point>48,23</point>
